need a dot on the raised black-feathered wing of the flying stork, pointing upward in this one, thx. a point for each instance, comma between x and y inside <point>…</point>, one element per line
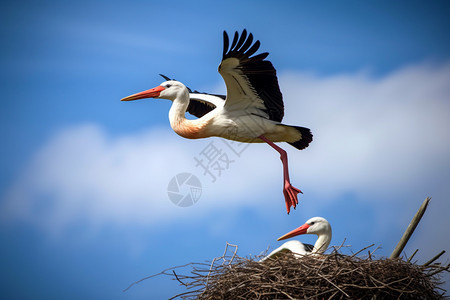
<point>251,81</point>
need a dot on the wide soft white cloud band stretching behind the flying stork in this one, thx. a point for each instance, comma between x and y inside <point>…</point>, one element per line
<point>385,139</point>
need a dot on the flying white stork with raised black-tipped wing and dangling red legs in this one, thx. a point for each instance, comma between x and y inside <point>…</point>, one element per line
<point>251,112</point>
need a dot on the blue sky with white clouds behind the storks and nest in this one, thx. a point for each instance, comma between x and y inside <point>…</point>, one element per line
<point>84,209</point>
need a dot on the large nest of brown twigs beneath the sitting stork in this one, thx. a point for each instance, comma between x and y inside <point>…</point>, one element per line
<point>329,276</point>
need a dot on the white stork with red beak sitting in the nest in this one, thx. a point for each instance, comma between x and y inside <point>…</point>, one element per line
<point>318,226</point>
